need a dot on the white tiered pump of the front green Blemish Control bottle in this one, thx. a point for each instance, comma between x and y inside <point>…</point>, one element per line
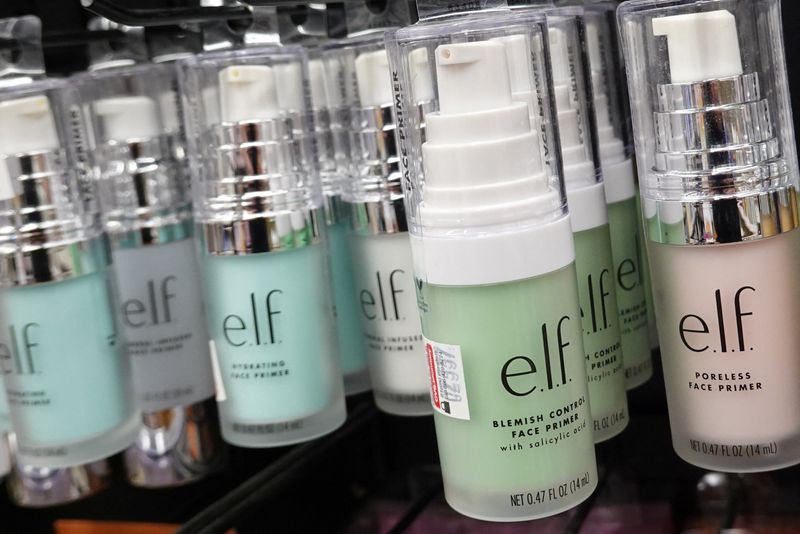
<point>485,180</point>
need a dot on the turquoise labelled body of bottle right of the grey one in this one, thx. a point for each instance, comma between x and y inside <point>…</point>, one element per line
<point>271,322</point>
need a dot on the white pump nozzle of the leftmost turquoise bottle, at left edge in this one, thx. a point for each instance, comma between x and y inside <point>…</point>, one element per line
<point>27,125</point>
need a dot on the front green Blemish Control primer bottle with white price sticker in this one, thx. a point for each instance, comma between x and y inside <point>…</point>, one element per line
<point>494,260</point>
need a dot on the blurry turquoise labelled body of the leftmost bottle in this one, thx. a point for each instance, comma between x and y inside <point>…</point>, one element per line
<point>65,375</point>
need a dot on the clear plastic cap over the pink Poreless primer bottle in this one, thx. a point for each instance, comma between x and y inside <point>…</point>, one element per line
<point>710,98</point>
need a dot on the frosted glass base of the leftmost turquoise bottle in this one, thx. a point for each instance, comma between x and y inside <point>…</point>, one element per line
<point>84,452</point>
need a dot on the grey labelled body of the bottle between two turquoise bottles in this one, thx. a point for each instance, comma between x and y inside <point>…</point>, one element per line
<point>163,325</point>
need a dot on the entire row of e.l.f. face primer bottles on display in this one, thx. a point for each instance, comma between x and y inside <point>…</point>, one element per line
<point>222,245</point>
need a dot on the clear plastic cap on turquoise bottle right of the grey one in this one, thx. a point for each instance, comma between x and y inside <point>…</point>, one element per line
<point>249,134</point>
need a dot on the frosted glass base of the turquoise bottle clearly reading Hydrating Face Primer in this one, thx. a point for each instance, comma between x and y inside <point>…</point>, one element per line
<point>289,432</point>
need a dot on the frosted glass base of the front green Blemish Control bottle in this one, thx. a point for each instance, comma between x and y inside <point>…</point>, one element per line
<point>478,505</point>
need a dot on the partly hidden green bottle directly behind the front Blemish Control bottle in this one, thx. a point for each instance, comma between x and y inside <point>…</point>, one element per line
<point>589,217</point>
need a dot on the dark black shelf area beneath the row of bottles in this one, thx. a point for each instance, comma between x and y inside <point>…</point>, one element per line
<point>379,474</point>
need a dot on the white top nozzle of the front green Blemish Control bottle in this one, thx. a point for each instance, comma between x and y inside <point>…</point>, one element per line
<point>472,77</point>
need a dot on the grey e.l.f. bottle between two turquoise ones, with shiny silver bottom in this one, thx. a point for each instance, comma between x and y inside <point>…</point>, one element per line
<point>146,210</point>
